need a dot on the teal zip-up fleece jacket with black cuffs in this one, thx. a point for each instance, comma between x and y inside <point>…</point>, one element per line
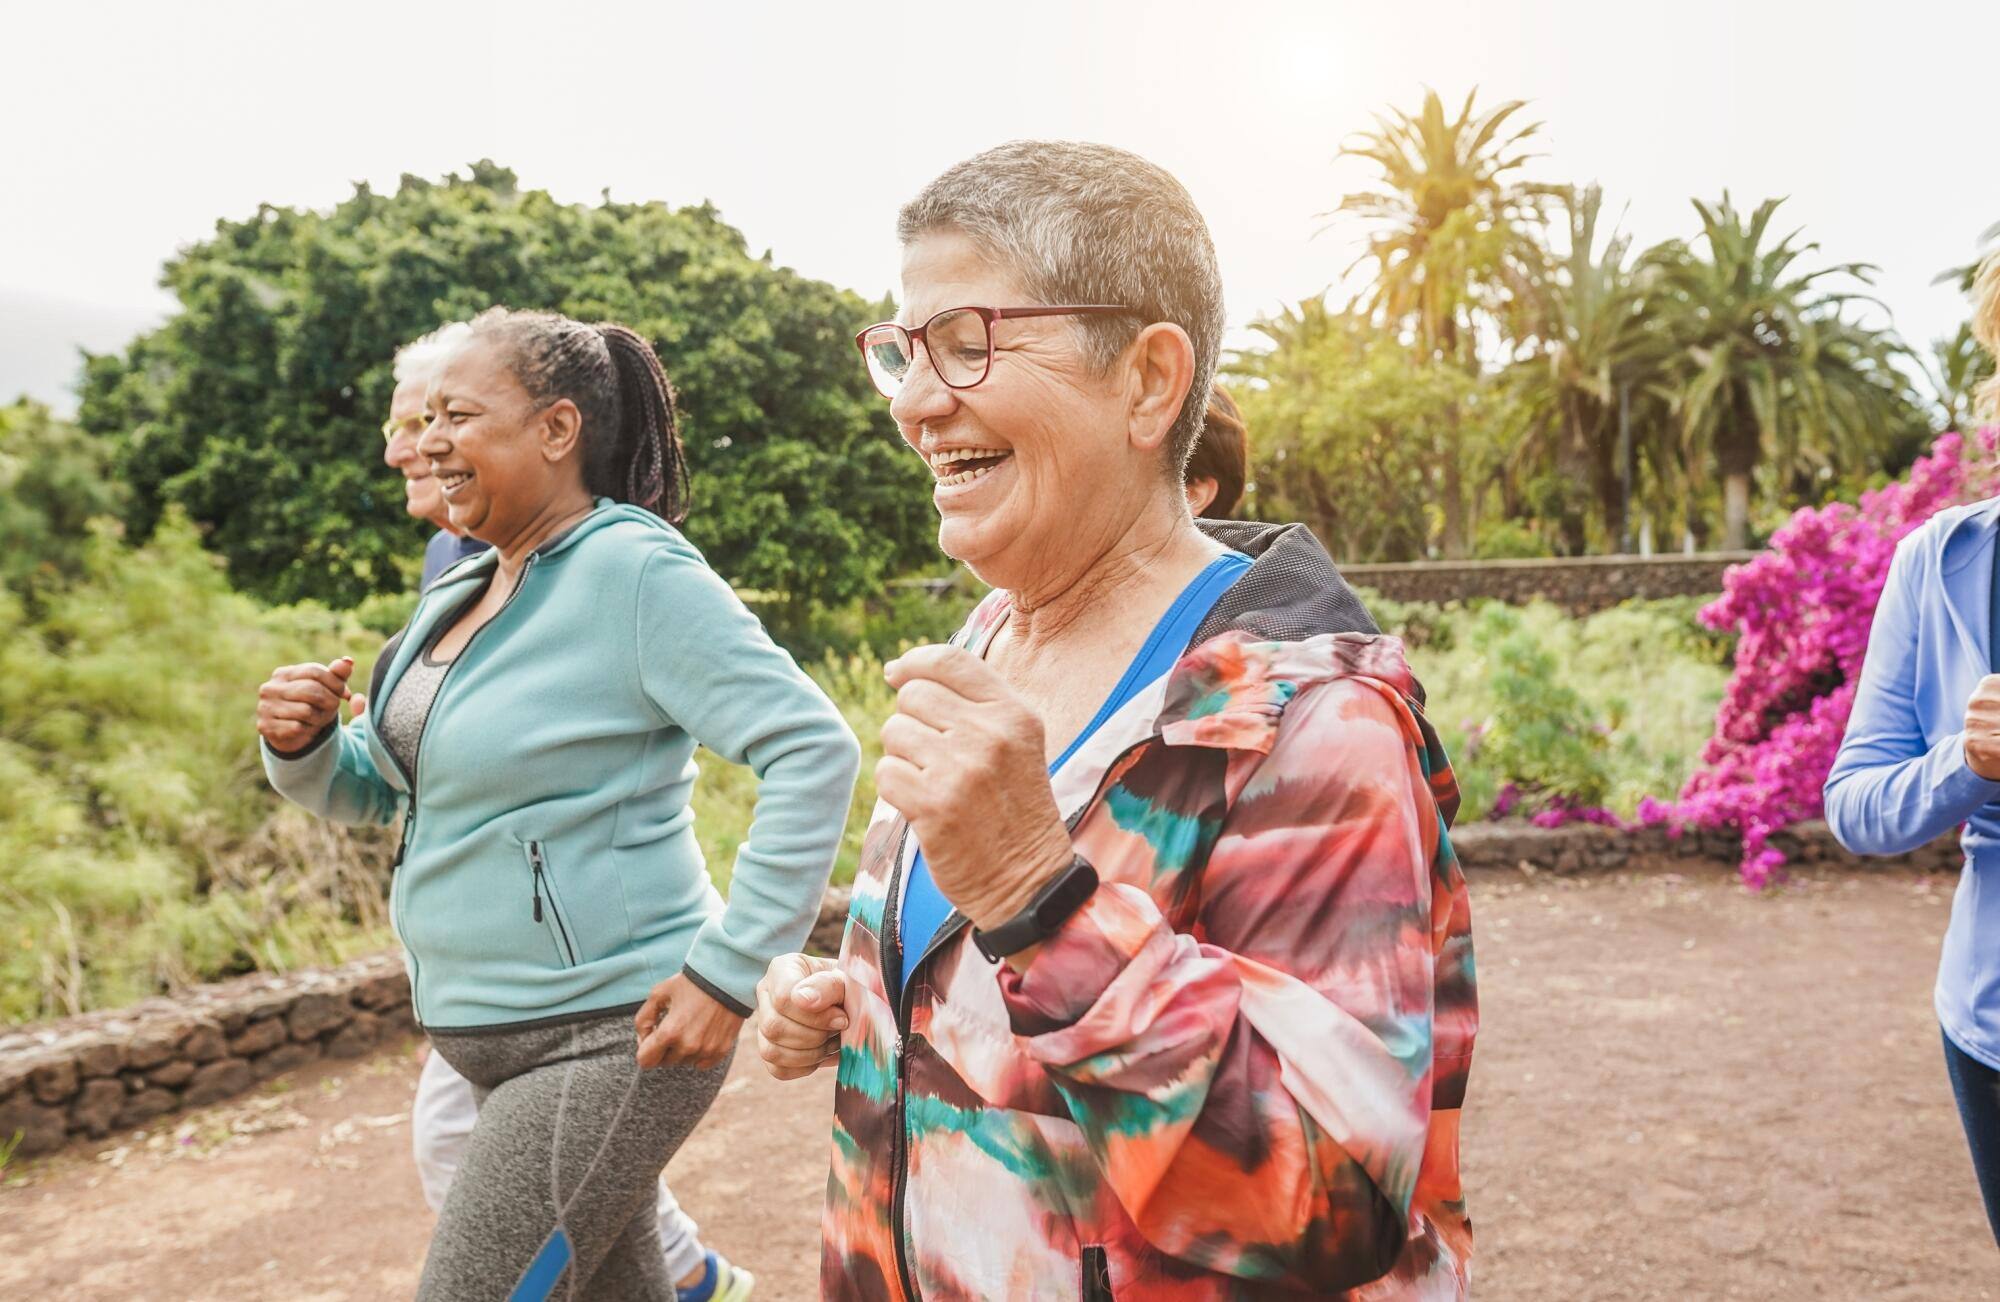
<point>549,863</point>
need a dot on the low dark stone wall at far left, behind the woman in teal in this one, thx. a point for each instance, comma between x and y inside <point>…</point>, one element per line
<point>109,1071</point>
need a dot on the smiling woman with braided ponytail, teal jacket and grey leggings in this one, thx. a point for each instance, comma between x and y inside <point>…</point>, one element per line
<point>535,723</point>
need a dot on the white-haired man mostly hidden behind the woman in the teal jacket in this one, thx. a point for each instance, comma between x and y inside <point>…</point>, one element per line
<point>445,1109</point>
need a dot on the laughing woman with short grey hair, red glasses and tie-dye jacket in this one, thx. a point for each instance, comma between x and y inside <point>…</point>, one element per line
<point>1159,967</point>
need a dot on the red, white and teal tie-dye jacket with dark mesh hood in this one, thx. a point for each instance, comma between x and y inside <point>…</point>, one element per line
<point>1237,1071</point>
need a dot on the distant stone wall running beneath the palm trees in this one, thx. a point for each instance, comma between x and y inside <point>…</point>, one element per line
<point>1579,585</point>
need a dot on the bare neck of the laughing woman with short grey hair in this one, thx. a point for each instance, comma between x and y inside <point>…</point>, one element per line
<point>1113,585</point>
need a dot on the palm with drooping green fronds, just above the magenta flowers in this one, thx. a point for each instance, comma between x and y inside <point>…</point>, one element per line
<point>1767,365</point>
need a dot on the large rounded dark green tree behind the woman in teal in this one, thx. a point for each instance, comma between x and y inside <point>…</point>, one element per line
<point>255,409</point>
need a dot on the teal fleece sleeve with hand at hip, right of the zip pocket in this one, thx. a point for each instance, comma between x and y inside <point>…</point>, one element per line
<point>709,667</point>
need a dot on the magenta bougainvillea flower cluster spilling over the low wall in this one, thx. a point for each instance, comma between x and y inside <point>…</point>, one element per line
<point>1803,613</point>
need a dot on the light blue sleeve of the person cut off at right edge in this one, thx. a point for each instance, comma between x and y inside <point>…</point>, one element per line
<point>1889,793</point>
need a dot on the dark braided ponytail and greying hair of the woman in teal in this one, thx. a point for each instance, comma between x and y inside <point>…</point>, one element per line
<point>615,379</point>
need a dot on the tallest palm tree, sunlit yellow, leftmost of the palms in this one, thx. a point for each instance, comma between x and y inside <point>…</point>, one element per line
<point>1451,241</point>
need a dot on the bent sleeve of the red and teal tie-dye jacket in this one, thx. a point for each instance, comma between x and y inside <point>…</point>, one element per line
<point>1259,1093</point>
